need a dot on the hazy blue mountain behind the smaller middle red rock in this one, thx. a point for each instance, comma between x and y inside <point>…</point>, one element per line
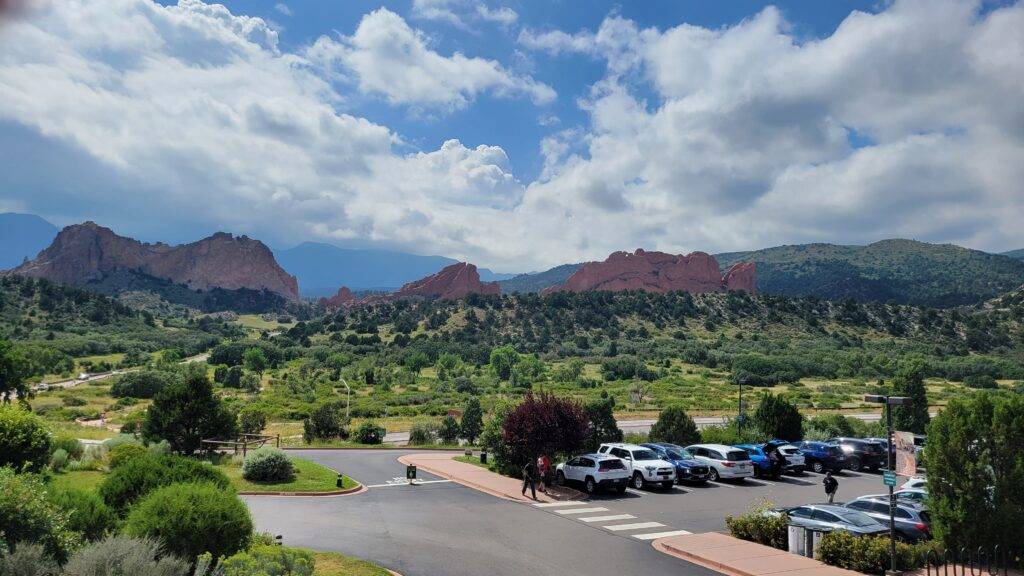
<point>322,269</point>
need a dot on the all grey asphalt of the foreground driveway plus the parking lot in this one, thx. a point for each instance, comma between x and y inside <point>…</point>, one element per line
<point>442,528</point>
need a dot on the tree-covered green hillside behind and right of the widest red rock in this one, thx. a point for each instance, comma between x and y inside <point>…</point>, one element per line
<point>903,271</point>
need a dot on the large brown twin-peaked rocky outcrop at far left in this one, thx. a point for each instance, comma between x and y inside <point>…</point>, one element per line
<point>88,252</point>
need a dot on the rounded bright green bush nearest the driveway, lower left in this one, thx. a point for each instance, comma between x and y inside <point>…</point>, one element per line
<point>192,519</point>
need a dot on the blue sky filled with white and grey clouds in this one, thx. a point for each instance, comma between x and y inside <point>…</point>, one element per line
<point>518,135</point>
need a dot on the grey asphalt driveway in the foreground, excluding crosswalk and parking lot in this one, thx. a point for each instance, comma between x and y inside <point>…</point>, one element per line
<point>442,528</point>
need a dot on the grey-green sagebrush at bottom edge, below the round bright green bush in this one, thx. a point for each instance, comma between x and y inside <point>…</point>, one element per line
<point>121,556</point>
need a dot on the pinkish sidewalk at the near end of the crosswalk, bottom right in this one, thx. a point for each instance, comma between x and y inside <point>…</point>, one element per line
<point>740,558</point>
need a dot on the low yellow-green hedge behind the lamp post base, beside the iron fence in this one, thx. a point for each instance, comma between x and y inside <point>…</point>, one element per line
<point>869,555</point>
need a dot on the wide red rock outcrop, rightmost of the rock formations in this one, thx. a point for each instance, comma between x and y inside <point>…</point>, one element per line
<point>659,272</point>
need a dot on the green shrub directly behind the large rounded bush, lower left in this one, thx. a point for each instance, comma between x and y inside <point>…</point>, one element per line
<point>138,477</point>
